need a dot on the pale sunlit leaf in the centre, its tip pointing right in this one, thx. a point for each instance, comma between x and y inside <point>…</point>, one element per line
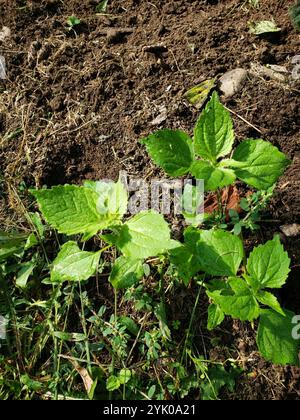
<point>145,235</point>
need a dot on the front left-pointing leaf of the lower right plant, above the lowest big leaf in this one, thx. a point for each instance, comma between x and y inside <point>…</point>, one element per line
<point>240,304</point>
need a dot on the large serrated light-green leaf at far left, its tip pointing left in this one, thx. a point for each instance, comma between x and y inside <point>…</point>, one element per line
<point>71,209</point>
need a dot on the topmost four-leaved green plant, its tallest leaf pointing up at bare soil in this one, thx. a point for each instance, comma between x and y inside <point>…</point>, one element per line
<point>256,162</point>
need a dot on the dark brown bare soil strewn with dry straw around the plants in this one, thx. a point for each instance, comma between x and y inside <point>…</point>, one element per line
<point>75,105</point>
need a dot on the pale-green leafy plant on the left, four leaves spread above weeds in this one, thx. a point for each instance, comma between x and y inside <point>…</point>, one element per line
<point>93,208</point>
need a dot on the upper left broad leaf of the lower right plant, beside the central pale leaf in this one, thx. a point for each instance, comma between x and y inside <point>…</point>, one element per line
<point>220,252</point>
